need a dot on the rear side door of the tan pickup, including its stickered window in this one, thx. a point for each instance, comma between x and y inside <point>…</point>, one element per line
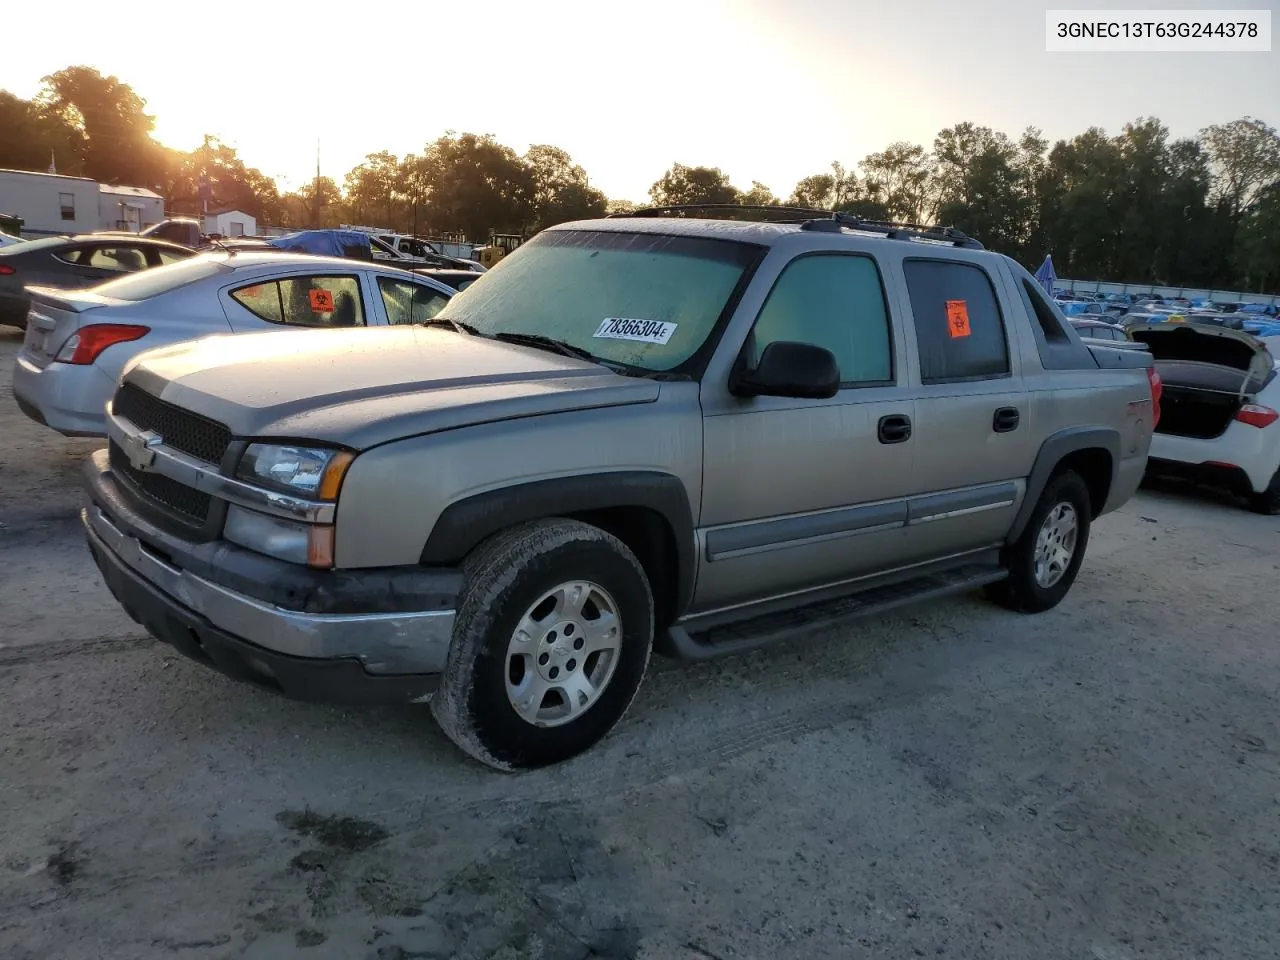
<point>975,441</point>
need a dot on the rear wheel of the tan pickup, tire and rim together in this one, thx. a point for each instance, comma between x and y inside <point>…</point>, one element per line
<point>1048,556</point>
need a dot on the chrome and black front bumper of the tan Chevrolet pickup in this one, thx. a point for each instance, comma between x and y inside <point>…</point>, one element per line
<point>365,653</point>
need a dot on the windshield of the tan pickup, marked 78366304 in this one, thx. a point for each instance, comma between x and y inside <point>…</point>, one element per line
<point>636,299</point>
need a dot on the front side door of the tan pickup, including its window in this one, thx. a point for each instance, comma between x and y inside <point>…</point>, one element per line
<point>804,493</point>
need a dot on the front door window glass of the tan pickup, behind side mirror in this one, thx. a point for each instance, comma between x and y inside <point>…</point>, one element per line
<point>834,301</point>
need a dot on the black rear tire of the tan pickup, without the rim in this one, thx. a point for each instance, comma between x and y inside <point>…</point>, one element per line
<point>1022,592</point>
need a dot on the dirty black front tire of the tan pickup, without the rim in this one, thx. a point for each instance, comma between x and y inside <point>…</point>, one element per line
<point>502,579</point>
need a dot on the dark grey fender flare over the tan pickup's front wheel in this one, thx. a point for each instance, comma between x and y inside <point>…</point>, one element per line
<point>465,524</point>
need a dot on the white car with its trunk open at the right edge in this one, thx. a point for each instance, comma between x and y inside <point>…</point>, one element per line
<point>1219,409</point>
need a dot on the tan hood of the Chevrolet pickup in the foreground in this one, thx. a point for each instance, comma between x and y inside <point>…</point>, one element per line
<point>364,387</point>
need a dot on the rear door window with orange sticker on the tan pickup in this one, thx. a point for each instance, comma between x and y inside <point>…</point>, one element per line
<point>959,328</point>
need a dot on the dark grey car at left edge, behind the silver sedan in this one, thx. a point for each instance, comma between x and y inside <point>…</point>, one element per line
<point>72,263</point>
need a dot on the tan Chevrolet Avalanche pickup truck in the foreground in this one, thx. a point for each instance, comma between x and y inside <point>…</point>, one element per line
<point>506,514</point>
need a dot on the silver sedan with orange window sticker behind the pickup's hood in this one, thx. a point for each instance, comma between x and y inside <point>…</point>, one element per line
<point>79,342</point>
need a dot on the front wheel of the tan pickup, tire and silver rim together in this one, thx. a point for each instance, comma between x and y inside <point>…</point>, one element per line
<point>550,647</point>
